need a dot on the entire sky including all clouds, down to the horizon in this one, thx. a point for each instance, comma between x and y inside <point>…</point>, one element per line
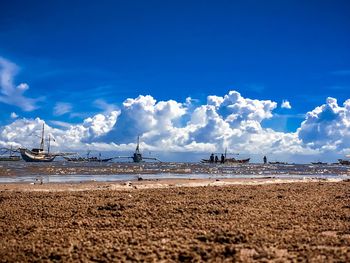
<point>258,77</point>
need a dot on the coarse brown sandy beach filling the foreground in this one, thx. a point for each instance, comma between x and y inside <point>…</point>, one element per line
<point>116,222</point>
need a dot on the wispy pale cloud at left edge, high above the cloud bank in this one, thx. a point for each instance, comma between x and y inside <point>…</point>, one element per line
<point>9,92</point>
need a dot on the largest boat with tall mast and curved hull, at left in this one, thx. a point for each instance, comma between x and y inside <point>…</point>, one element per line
<point>38,154</point>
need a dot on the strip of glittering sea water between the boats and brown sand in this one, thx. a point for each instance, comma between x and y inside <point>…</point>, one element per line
<point>69,172</point>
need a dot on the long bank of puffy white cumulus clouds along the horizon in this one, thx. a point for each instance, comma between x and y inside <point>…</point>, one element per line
<point>230,121</point>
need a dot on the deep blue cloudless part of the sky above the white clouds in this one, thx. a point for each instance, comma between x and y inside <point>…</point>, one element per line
<point>79,51</point>
